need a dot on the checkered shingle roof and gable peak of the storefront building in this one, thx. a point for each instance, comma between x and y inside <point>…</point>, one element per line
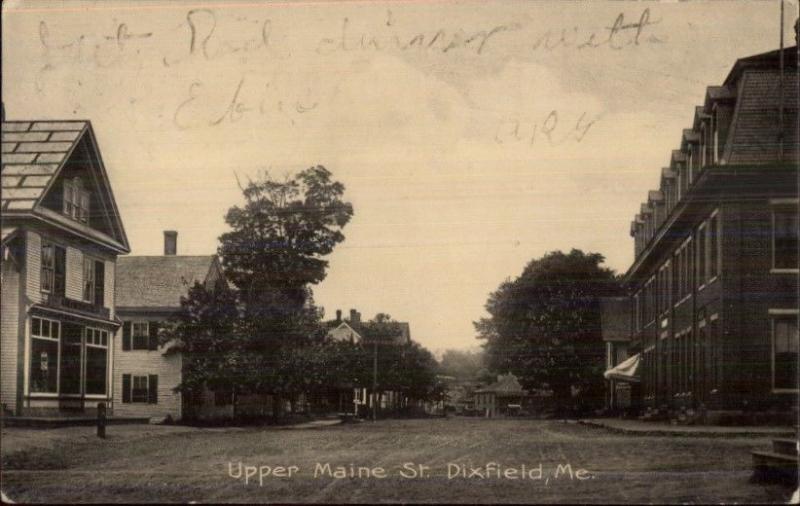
<point>35,156</point>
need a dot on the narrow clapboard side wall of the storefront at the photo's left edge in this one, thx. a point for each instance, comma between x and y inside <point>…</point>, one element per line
<point>9,335</point>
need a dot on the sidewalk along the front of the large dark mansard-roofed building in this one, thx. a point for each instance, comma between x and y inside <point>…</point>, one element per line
<point>637,427</point>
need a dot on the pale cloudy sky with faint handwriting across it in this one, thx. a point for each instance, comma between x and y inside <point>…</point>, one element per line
<point>471,137</point>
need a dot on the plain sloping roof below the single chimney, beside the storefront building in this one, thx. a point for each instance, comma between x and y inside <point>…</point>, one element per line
<point>160,281</point>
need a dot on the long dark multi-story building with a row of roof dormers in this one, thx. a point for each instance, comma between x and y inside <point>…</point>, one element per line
<point>714,283</point>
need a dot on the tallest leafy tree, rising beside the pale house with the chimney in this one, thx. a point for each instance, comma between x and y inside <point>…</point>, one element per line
<point>273,253</point>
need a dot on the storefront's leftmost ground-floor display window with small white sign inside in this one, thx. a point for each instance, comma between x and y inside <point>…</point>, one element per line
<point>45,335</point>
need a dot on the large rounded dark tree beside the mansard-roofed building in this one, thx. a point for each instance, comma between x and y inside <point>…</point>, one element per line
<point>544,326</point>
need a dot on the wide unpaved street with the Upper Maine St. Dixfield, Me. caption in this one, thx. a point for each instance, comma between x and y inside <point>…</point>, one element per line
<point>439,460</point>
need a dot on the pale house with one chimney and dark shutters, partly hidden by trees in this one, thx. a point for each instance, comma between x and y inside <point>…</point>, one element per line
<point>148,292</point>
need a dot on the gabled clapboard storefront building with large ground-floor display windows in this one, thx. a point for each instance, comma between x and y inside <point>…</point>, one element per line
<point>61,234</point>
